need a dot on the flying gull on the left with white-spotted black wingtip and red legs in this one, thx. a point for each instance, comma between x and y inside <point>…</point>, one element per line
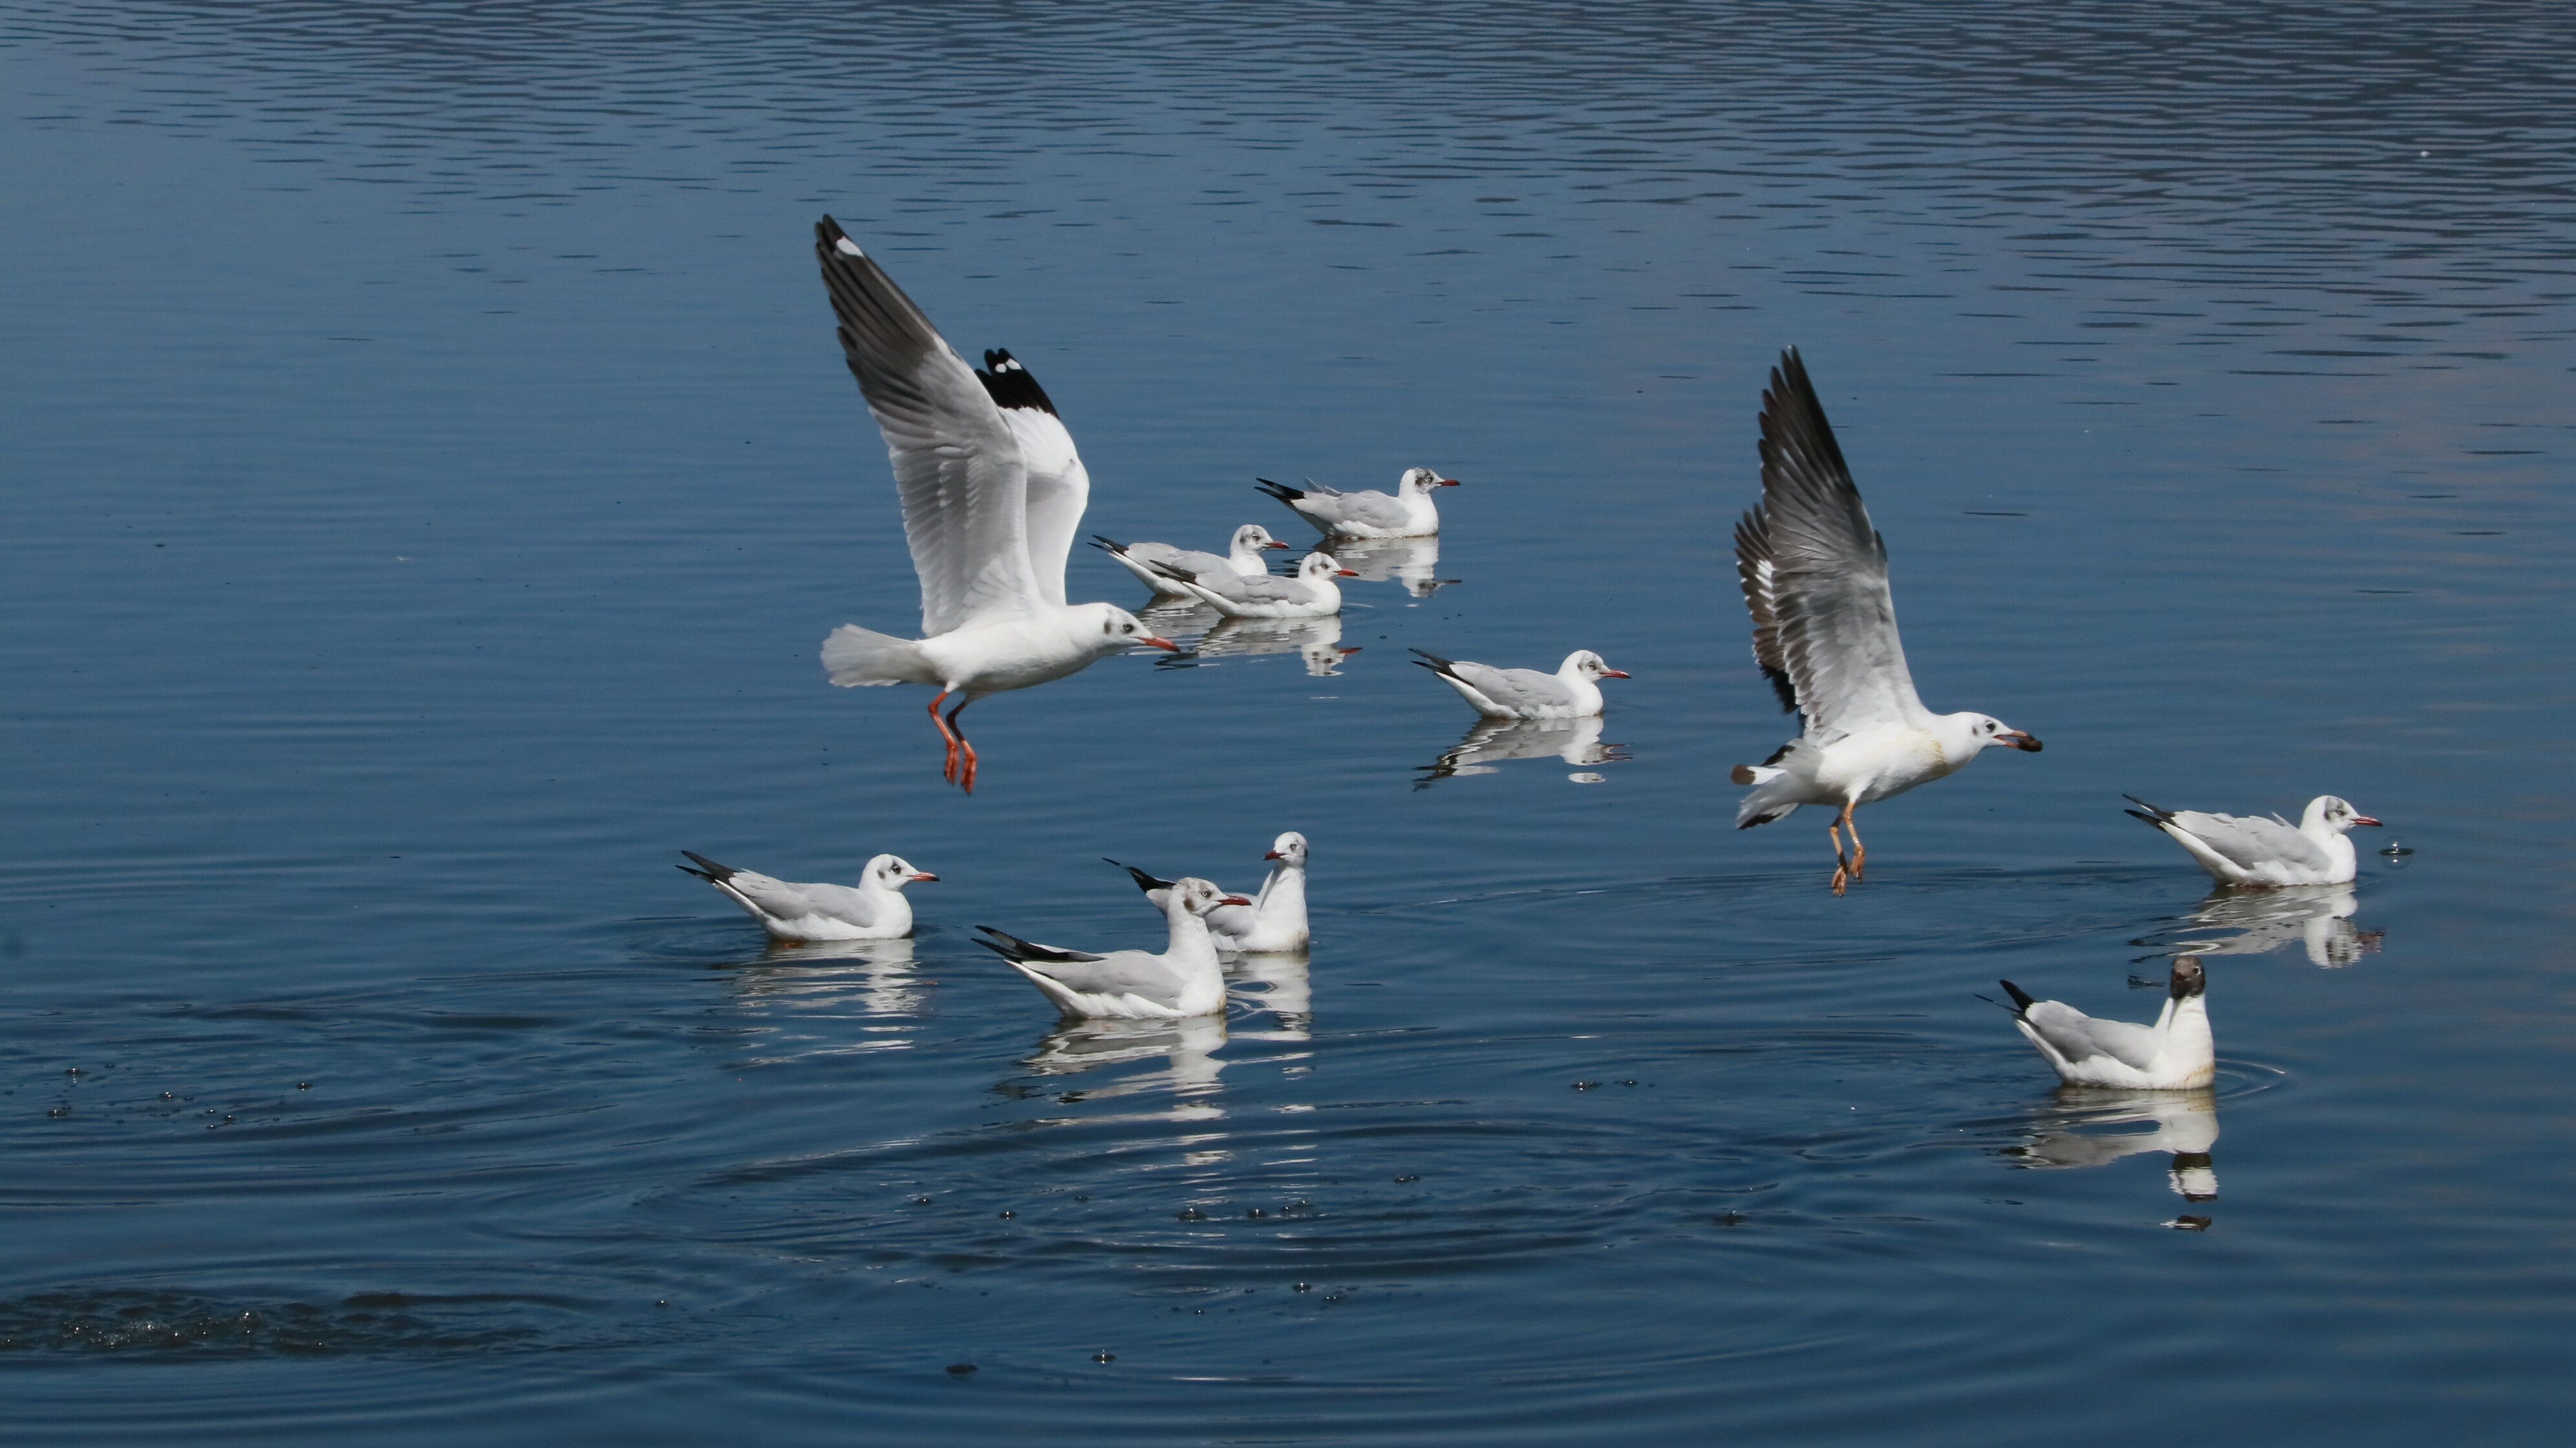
<point>993,493</point>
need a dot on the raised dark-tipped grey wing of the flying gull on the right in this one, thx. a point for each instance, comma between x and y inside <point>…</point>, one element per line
<point>1817,573</point>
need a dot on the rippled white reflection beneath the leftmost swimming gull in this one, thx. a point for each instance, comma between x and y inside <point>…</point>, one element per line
<point>792,991</point>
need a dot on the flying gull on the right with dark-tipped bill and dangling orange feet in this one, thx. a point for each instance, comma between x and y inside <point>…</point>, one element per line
<point>1825,633</point>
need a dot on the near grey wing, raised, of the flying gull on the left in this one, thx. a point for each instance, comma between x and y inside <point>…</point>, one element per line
<point>957,460</point>
